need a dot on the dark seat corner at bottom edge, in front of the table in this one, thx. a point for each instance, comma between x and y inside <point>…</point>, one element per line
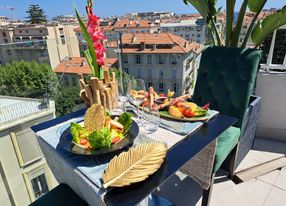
<point>59,196</point>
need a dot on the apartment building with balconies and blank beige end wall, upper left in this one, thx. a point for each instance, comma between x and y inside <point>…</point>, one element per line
<point>41,43</point>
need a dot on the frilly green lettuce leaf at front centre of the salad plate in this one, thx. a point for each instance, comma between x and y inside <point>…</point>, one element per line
<point>100,139</point>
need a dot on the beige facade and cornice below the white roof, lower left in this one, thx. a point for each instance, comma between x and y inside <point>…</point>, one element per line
<point>21,160</point>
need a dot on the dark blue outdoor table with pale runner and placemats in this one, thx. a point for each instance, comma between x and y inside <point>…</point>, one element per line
<point>77,171</point>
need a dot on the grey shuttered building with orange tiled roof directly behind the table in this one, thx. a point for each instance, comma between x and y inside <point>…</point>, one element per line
<point>165,61</point>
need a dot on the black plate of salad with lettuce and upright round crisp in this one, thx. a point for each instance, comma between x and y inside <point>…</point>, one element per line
<point>99,132</point>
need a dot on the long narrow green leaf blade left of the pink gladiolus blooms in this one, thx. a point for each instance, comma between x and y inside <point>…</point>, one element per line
<point>95,69</point>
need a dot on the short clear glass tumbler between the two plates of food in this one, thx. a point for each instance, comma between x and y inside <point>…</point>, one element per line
<point>152,118</point>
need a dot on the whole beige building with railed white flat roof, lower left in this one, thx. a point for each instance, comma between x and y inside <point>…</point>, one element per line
<point>24,173</point>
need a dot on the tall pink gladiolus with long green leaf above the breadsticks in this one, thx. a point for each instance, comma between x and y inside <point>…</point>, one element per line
<point>94,37</point>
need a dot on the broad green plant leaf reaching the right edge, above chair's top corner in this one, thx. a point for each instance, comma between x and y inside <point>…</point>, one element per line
<point>267,25</point>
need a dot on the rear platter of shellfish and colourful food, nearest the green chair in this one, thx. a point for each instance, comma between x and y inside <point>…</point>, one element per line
<point>176,108</point>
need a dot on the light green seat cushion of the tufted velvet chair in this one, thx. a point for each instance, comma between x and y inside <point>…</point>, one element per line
<point>225,143</point>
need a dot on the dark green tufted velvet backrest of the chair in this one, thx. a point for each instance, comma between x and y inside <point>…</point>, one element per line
<point>226,78</point>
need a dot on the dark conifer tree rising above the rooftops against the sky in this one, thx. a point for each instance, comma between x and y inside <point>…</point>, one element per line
<point>36,15</point>
